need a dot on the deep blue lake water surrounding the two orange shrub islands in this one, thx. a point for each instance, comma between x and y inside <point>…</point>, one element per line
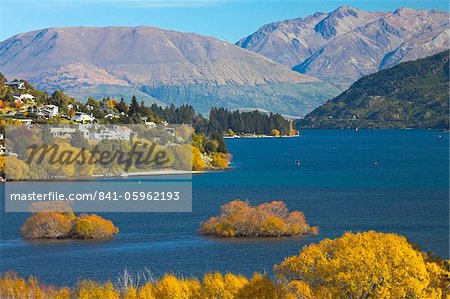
<point>389,181</point>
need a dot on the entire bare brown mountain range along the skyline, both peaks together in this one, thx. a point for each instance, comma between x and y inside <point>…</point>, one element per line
<point>290,67</point>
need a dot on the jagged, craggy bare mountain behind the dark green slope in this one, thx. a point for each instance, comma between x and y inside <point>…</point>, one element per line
<point>348,43</point>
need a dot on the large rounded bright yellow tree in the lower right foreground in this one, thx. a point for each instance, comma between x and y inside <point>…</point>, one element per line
<point>363,265</point>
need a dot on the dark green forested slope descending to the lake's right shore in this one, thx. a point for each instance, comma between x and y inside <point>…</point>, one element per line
<point>410,95</point>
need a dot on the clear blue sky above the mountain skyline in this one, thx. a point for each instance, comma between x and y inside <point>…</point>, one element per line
<point>227,20</point>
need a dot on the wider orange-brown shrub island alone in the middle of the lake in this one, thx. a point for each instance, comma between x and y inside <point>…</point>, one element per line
<point>239,219</point>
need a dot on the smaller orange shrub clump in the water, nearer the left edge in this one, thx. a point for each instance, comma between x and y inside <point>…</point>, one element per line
<point>65,225</point>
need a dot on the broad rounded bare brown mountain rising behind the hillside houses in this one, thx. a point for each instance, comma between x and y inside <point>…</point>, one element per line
<point>158,65</point>
